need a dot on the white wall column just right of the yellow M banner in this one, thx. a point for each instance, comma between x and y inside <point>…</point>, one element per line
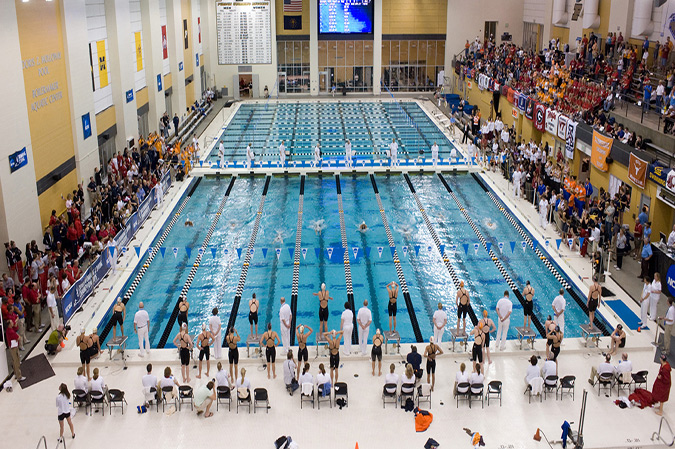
<point>120,42</point>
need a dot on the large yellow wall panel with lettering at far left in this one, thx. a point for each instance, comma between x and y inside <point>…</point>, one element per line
<point>44,72</point>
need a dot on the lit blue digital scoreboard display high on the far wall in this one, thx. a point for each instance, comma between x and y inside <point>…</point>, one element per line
<point>346,16</point>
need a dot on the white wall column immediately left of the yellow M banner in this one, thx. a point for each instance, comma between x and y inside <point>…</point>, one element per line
<point>78,68</point>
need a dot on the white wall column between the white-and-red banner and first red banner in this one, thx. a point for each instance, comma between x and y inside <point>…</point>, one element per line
<point>152,51</point>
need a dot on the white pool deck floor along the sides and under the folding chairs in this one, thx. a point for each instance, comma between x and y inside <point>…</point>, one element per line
<point>31,413</point>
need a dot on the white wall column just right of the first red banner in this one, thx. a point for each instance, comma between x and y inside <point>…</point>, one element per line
<point>174,33</point>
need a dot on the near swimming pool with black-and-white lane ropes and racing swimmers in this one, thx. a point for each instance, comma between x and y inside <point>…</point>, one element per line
<point>270,273</point>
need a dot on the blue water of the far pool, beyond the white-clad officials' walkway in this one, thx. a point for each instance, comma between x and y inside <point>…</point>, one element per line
<point>370,126</point>
